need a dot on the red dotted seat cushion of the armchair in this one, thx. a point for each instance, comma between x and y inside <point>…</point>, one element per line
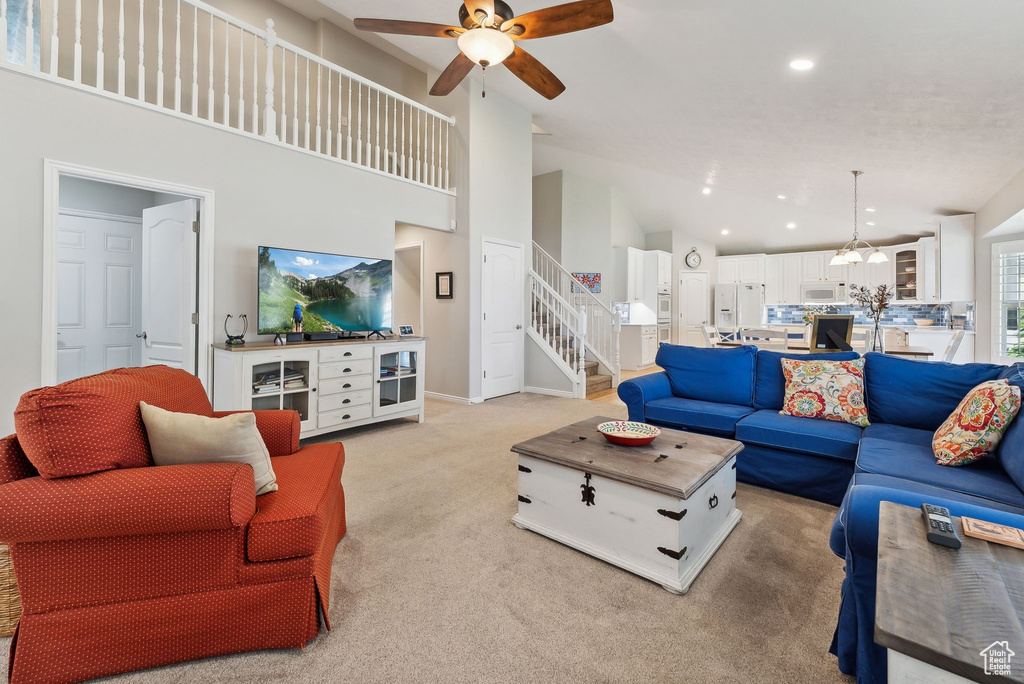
<point>291,522</point>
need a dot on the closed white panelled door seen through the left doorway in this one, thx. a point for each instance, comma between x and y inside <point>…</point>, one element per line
<point>100,263</point>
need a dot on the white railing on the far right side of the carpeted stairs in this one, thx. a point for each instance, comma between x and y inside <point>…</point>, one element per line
<point>604,325</point>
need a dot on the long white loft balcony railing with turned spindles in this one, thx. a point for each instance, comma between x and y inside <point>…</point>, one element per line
<point>194,61</point>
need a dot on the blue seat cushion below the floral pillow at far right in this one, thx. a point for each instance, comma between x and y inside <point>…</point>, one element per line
<point>916,463</point>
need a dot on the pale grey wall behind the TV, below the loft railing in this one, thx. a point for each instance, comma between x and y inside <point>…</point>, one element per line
<point>266,194</point>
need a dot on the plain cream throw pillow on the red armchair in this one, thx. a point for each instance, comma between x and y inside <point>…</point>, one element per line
<point>180,439</point>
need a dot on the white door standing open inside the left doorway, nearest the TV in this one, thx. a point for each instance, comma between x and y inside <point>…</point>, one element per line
<point>169,285</point>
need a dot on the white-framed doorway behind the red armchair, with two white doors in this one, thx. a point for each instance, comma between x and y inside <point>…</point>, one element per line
<point>126,275</point>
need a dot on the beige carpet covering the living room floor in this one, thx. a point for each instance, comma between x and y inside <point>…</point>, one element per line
<point>434,583</point>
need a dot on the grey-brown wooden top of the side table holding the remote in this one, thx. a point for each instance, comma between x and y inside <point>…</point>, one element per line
<point>945,607</point>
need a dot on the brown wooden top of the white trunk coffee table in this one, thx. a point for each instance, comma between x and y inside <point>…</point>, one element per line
<point>675,464</point>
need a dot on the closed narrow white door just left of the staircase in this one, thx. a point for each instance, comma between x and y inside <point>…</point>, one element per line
<point>503,317</point>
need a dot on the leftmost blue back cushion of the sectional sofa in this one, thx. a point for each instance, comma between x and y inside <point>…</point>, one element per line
<point>722,376</point>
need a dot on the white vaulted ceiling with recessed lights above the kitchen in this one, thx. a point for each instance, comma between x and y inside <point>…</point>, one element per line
<point>926,97</point>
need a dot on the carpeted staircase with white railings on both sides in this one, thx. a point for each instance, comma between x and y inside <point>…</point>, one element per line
<point>575,329</point>
